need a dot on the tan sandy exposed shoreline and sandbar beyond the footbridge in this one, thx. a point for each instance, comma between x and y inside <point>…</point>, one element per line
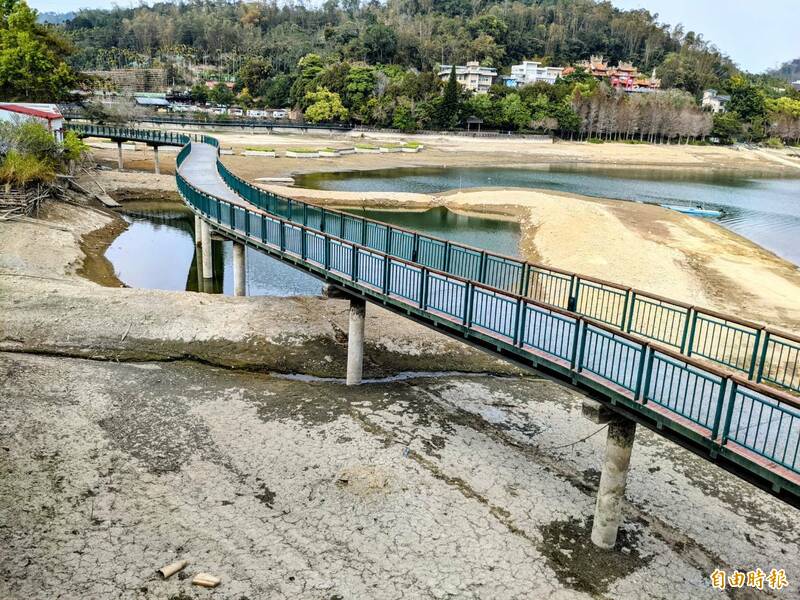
<point>637,245</point>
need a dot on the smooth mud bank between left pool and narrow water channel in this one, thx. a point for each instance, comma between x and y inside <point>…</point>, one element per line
<point>47,307</point>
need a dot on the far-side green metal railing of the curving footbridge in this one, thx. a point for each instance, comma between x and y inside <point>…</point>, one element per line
<point>693,331</point>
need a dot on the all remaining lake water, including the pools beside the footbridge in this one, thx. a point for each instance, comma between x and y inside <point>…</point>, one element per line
<point>157,250</point>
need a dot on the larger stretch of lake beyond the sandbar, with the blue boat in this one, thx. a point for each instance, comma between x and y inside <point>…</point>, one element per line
<point>766,211</point>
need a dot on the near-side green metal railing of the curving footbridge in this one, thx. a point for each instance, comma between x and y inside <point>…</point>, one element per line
<point>752,425</point>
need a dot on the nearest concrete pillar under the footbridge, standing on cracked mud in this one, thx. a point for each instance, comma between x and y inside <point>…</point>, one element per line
<point>608,510</point>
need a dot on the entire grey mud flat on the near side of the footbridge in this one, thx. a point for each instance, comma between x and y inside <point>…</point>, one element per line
<point>462,486</point>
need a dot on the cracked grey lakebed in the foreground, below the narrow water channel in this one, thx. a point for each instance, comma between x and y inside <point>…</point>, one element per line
<point>428,488</point>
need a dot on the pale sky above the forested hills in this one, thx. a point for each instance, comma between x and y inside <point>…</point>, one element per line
<point>756,34</point>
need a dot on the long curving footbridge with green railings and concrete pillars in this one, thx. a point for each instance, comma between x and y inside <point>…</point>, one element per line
<point>726,388</point>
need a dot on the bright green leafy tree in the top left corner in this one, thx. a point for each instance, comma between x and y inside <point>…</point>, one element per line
<point>32,57</point>
